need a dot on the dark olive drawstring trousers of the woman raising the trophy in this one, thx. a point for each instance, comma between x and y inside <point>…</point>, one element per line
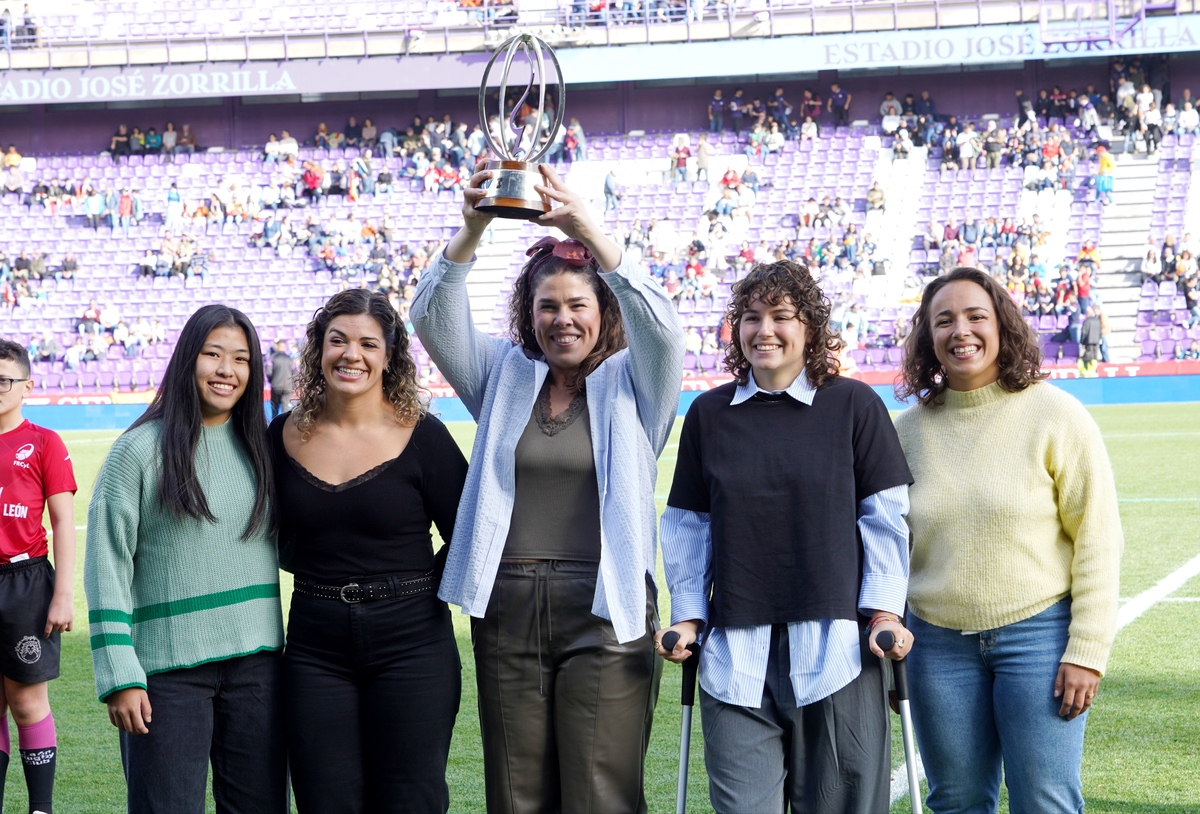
<point>565,709</point>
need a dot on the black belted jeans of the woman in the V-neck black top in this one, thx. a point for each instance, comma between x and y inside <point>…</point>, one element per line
<point>371,696</point>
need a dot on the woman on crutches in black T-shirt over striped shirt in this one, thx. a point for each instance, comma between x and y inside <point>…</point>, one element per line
<point>785,546</point>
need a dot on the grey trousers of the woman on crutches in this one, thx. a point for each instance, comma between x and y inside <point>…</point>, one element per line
<point>832,757</point>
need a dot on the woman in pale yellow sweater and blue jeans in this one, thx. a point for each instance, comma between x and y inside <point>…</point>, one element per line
<point>1017,546</point>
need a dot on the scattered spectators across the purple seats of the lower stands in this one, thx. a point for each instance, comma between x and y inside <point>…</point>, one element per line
<point>1051,136</point>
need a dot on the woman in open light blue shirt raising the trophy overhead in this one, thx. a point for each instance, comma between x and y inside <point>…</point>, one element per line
<point>554,552</point>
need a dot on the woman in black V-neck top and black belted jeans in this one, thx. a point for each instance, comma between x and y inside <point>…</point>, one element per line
<point>371,668</point>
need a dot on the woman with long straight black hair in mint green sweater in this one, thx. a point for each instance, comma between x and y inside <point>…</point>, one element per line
<point>183,583</point>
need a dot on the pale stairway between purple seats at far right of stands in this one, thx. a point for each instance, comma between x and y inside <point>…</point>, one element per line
<point>1125,234</point>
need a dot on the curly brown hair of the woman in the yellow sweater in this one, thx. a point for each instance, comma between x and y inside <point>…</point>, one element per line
<point>1019,357</point>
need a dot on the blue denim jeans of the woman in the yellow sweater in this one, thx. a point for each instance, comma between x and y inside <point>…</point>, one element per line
<point>986,699</point>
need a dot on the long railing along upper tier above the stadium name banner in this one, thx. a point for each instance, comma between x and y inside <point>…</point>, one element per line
<point>412,28</point>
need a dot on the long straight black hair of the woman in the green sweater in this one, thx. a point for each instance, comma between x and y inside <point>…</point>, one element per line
<point>178,406</point>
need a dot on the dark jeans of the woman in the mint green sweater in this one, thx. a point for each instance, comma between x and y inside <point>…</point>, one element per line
<point>227,713</point>
